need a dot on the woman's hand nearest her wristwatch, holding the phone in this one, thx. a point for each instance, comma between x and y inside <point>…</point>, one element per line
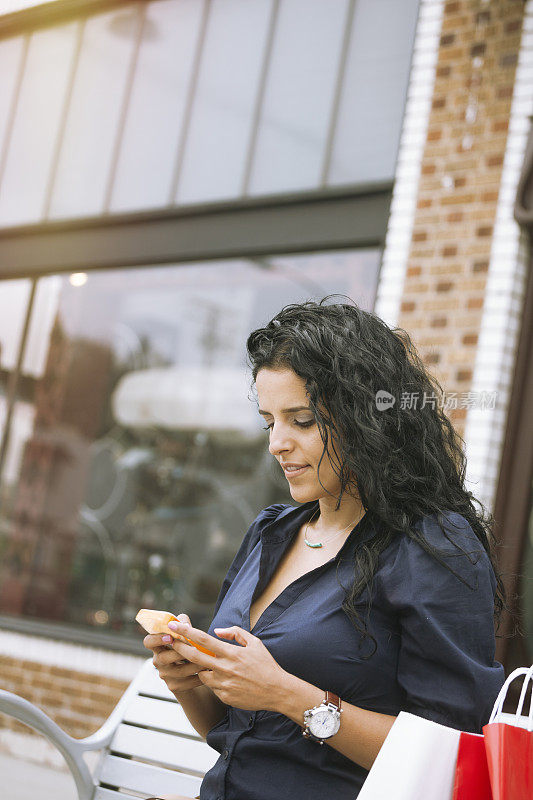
<point>246,677</point>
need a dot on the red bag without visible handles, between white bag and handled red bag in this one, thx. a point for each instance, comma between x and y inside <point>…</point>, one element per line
<point>472,780</point>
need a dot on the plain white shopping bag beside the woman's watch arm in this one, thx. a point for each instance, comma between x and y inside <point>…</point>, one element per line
<point>416,762</point>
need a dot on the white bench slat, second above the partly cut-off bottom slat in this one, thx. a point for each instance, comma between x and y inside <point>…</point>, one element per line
<point>164,749</point>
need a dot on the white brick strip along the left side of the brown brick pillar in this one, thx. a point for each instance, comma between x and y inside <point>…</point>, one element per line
<point>412,143</point>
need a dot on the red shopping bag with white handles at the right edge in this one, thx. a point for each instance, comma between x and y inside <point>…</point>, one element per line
<point>509,746</point>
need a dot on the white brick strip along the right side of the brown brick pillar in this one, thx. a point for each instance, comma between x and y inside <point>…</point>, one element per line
<point>506,282</point>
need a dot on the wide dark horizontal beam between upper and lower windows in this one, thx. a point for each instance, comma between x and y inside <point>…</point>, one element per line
<point>298,222</point>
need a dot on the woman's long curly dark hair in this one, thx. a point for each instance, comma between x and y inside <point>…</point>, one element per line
<point>405,463</point>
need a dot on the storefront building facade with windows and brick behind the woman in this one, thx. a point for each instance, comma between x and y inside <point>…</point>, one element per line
<point>172,172</point>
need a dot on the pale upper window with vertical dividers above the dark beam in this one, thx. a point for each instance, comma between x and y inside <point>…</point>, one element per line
<point>176,102</point>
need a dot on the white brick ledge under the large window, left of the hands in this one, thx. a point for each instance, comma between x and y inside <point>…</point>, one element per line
<point>75,657</point>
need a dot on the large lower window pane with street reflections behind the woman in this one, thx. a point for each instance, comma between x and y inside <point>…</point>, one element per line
<point>138,459</point>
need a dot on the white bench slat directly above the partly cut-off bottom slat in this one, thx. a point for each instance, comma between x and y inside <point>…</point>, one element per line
<point>129,774</point>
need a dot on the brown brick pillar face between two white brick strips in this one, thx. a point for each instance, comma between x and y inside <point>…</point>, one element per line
<point>445,281</point>
